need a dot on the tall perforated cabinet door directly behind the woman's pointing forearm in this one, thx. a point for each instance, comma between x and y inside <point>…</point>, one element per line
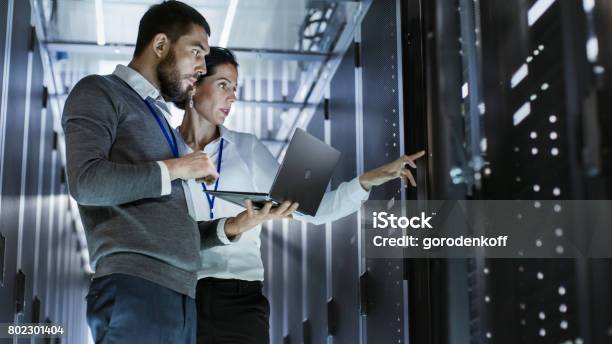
<point>382,137</point>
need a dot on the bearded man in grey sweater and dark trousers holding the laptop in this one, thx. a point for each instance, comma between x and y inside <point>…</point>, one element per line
<point>125,172</point>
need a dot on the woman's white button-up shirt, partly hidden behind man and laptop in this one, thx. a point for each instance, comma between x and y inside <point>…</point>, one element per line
<point>247,165</point>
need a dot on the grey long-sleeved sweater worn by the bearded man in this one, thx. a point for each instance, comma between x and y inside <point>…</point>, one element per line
<point>112,145</point>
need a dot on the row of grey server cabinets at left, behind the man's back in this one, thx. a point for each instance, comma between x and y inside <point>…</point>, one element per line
<point>41,266</point>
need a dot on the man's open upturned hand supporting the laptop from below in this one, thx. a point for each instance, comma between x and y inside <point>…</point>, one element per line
<point>250,217</point>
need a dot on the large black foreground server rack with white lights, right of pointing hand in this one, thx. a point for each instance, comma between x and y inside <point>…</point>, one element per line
<point>515,110</point>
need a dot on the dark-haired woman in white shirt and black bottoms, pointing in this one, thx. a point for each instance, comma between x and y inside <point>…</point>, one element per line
<point>230,304</point>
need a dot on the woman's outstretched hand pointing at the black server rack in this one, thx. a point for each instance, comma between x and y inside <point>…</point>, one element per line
<point>390,171</point>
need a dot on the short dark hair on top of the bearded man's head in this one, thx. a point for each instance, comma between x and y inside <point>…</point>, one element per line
<point>172,18</point>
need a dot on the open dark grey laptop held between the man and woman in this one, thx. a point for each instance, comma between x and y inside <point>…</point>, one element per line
<point>302,177</point>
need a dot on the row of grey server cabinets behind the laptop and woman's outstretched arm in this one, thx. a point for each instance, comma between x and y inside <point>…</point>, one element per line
<point>348,299</point>
